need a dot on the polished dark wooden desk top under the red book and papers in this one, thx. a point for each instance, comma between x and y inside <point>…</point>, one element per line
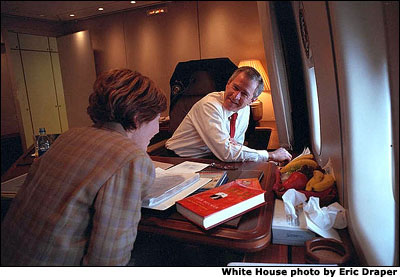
<point>252,234</point>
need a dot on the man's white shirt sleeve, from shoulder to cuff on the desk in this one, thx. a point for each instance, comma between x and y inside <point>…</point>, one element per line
<point>210,124</point>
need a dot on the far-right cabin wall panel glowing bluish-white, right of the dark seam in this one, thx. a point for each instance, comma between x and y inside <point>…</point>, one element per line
<point>358,31</point>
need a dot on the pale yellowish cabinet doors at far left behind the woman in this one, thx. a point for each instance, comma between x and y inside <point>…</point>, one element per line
<point>39,87</point>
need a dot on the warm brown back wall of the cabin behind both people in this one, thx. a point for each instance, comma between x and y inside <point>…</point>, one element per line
<point>190,30</point>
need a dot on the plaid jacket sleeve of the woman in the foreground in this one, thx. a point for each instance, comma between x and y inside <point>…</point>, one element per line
<point>116,214</point>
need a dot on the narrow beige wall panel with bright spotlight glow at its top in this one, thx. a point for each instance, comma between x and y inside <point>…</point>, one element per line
<point>78,75</point>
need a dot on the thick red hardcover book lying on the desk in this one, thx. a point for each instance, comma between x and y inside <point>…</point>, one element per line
<point>215,206</point>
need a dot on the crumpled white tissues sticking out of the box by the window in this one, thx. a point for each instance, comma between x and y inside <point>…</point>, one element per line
<point>319,220</point>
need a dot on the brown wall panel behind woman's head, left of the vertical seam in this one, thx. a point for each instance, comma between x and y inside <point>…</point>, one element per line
<point>155,44</point>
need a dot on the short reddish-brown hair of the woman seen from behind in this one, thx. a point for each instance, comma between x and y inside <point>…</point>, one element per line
<point>126,97</point>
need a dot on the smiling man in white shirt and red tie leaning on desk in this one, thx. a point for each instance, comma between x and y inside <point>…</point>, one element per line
<point>206,128</point>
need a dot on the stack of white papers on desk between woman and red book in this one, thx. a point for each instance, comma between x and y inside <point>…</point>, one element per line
<point>174,184</point>
